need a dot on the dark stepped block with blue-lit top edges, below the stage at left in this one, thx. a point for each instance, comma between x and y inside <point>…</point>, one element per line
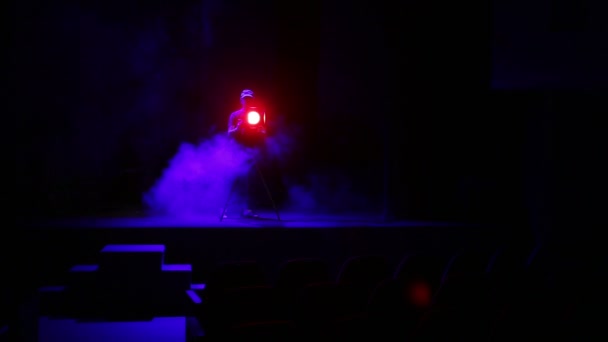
<point>129,282</point>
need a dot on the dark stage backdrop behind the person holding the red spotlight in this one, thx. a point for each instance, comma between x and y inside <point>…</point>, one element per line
<point>479,111</point>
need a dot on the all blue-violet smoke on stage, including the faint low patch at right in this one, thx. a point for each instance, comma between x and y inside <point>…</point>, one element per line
<point>198,179</point>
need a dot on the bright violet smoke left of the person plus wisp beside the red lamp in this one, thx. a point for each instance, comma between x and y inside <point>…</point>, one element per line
<point>198,179</point>
